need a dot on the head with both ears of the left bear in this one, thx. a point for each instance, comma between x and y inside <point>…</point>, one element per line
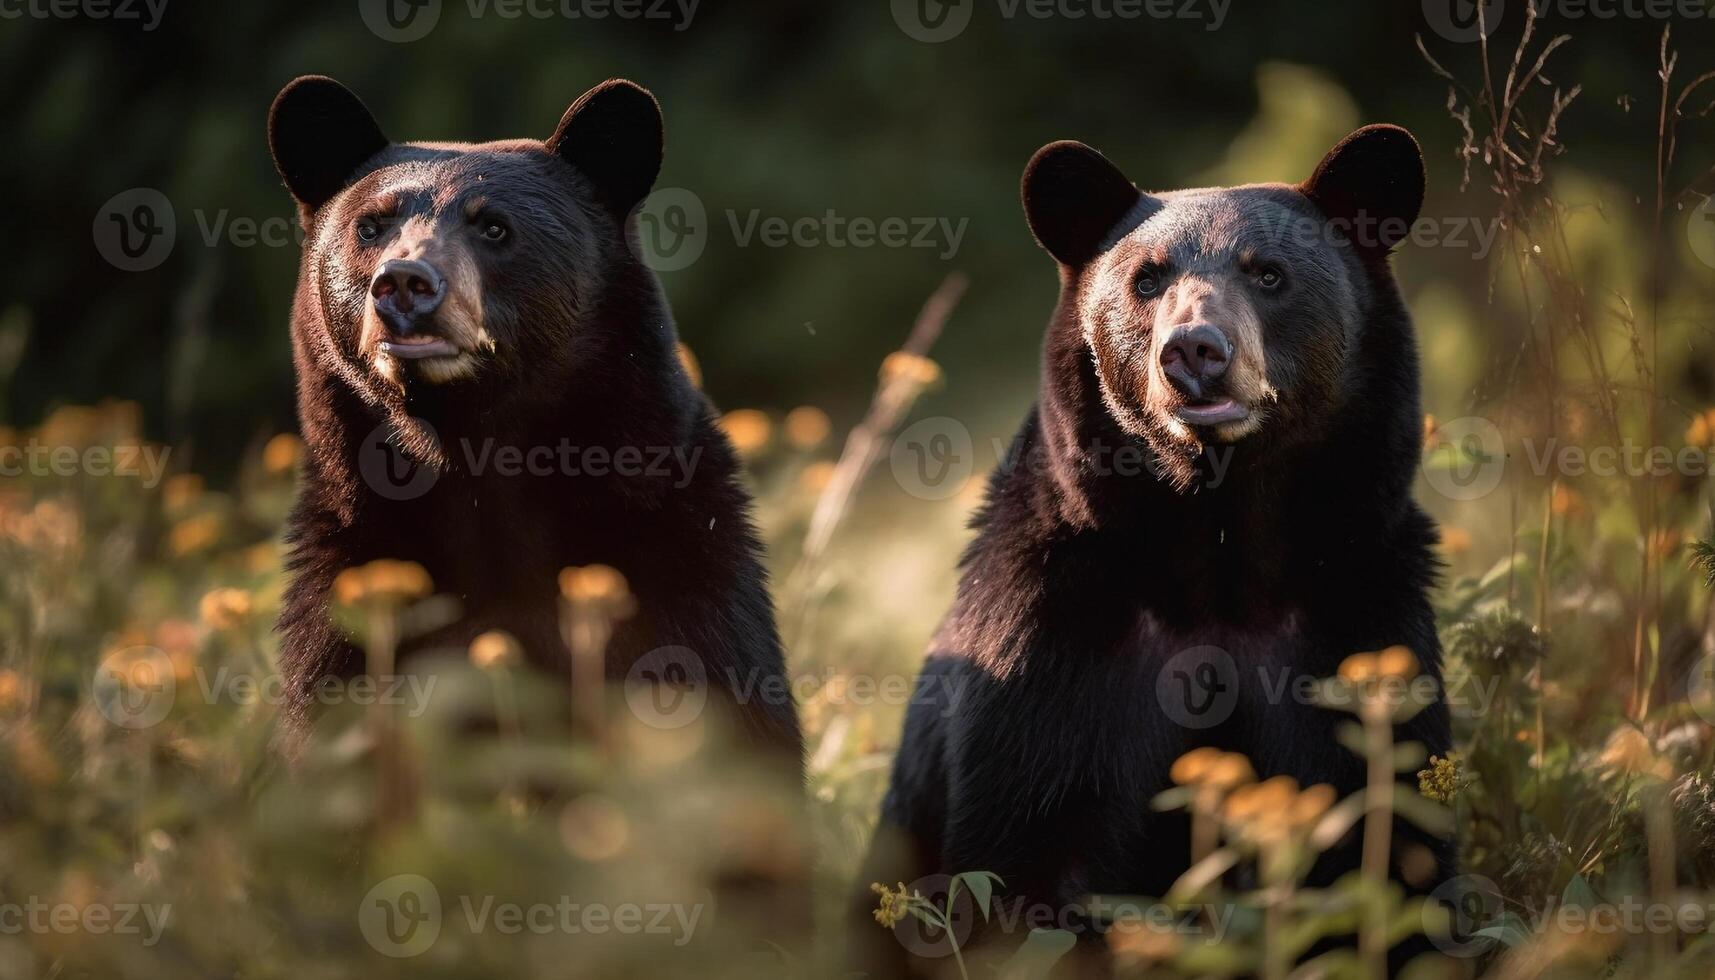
<point>459,265</point>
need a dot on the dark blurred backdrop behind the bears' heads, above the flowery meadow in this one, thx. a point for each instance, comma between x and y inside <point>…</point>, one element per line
<point>778,107</point>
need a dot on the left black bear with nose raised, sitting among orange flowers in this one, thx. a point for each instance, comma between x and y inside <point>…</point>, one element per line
<point>490,387</point>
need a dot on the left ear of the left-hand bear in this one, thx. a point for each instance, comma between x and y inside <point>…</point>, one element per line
<point>320,135</point>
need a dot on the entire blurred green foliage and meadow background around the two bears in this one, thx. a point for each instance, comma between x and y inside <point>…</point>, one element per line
<point>795,111</point>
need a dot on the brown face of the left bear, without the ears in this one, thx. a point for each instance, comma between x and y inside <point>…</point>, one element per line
<point>479,234</point>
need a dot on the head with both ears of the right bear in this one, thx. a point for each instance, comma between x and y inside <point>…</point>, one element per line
<point>1224,317</point>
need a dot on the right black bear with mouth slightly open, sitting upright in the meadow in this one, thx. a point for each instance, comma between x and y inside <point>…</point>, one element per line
<point>1215,487</point>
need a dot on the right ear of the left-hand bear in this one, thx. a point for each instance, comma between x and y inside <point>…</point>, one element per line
<point>615,136</point>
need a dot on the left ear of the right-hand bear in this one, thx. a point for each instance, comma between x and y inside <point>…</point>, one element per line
<point>1073,200</point>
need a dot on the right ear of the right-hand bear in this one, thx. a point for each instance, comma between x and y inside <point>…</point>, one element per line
<point>1373,183</point>
